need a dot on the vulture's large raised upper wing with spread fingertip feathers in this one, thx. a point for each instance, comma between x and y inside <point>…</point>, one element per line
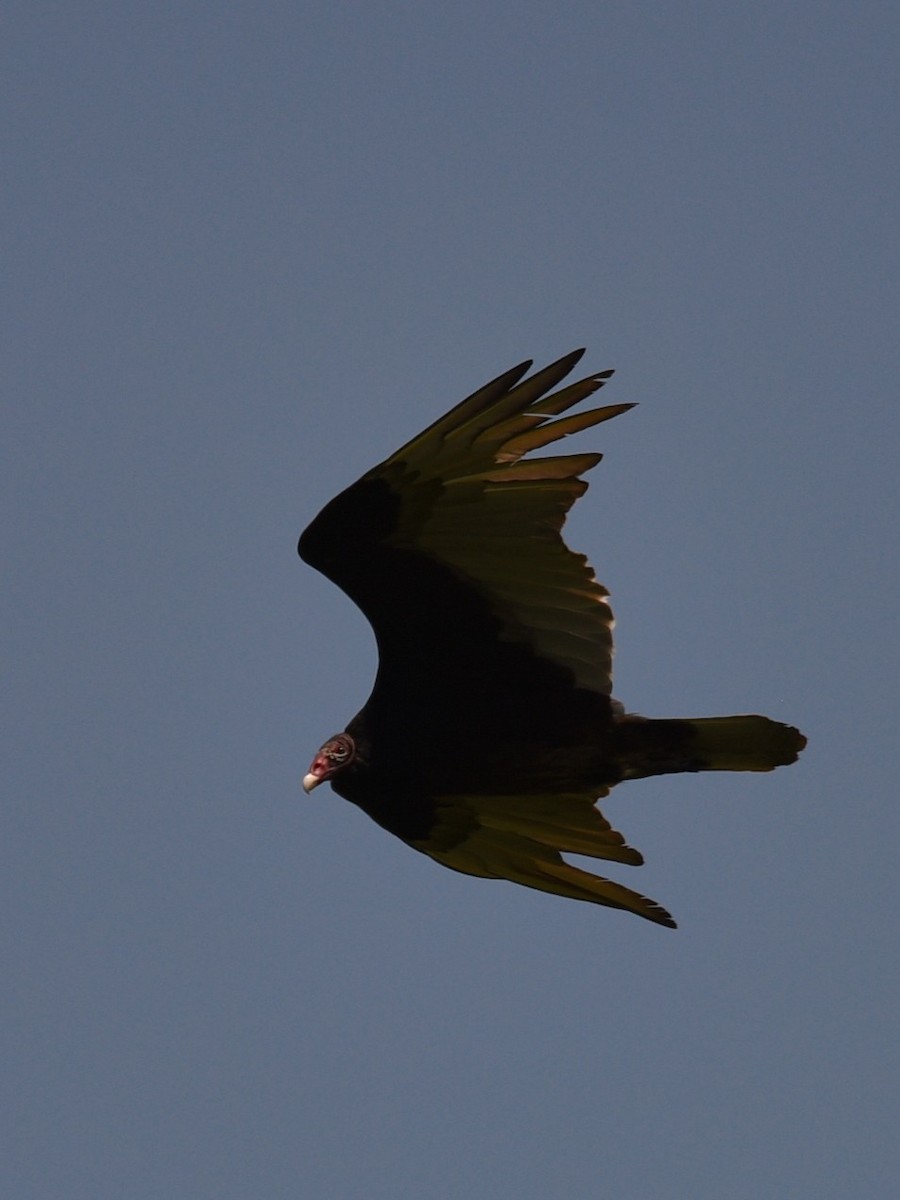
<point>453,547</point>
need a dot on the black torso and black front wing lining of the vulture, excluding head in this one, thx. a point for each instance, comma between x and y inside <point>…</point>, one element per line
<point>497,718</point>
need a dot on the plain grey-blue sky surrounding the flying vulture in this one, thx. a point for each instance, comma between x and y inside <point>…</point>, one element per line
<point>253,249</point>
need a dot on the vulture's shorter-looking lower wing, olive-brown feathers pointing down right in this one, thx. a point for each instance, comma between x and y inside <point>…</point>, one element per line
<point>520,839</point>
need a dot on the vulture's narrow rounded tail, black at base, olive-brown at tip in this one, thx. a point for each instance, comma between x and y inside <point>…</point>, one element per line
<point>705,743</point>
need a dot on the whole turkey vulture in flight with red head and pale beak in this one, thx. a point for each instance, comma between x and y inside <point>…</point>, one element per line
<point>491,730</point>
